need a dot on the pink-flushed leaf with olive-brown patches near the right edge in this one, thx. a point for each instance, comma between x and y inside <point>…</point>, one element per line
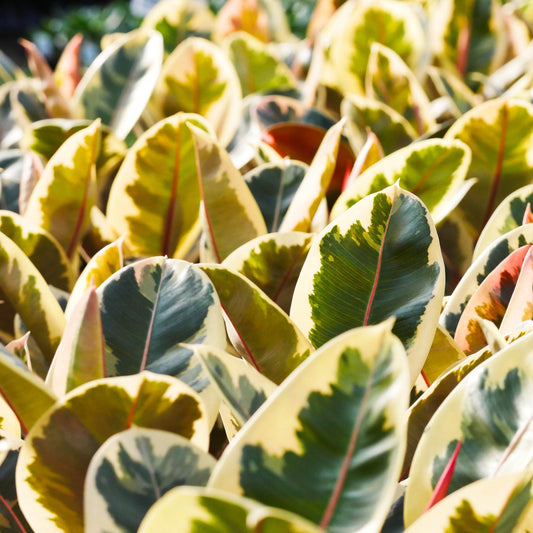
<point>491,299</point>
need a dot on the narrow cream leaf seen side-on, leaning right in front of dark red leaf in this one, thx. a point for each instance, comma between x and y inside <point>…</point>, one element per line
<point>315,184</point>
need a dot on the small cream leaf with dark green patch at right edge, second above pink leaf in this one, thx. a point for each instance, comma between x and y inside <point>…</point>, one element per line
<point>510,214</point>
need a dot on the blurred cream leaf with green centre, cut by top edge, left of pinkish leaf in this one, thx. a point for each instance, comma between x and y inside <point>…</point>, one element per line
<point>177,20</point>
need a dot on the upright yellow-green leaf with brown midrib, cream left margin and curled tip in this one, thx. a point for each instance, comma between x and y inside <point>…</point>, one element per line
<point>155,197</point>
